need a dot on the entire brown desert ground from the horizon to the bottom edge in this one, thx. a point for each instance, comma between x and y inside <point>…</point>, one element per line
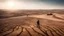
<point>24,23</point>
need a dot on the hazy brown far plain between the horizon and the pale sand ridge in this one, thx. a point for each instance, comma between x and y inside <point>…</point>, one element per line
<point>15,13</point>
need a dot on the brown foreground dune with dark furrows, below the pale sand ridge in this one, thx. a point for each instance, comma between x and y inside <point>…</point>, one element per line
<point>27,26</point>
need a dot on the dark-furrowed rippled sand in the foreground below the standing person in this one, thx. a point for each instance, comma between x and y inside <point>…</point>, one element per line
<point>44,30</point>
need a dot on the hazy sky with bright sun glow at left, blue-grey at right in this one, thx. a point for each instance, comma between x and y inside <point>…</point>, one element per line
<point>31,4</point>
